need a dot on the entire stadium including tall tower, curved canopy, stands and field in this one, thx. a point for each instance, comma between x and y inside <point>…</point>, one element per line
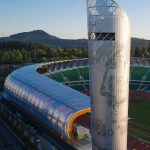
<point>83,103</point>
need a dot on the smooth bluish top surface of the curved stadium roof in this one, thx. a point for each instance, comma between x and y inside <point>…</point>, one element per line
<point>53,89</point>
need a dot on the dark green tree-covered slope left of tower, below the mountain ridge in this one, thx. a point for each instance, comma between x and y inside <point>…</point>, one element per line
<point>17,52</point>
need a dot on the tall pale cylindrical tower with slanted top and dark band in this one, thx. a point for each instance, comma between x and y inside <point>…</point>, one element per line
<point>109,60</point>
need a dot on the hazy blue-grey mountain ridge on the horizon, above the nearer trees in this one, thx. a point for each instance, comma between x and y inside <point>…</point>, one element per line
<point>42,37</point>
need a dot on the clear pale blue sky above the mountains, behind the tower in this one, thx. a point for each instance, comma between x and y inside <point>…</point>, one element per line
<point>66,19</point>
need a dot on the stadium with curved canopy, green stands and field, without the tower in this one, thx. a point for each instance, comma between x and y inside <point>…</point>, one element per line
<point>56,94</point>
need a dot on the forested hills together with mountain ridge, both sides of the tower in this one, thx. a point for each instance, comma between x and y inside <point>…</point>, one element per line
<point>39,46</point>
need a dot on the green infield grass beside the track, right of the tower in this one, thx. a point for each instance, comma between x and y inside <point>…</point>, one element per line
<point>139,111</point>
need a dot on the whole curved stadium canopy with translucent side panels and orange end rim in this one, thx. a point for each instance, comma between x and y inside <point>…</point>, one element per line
<point>49,101</point>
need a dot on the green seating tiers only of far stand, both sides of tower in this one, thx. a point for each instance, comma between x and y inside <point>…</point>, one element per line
<point>81,74</point>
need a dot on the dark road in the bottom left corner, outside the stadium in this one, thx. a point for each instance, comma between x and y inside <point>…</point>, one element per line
<point>7,140</point>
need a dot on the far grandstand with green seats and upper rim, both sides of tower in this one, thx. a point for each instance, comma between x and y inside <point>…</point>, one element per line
<point>75,74</point>
